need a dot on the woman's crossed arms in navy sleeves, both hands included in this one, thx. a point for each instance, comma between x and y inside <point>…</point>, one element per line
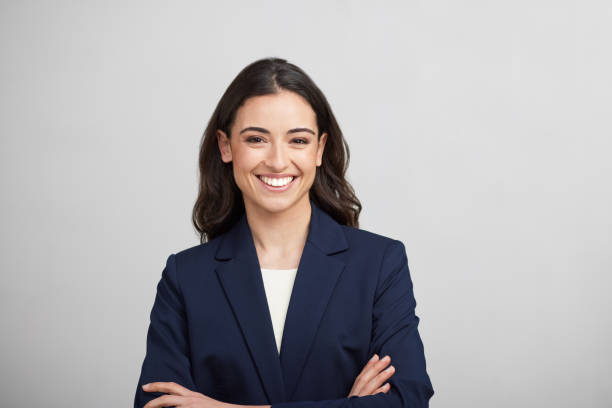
<point>394,333</point>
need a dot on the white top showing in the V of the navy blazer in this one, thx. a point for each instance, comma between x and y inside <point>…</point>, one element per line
<point>279,285</point>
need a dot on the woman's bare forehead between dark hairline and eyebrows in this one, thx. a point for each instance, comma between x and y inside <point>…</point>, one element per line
<point>281,110</point>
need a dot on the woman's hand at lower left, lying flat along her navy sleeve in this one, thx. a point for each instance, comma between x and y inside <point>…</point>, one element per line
<point>179,396</point>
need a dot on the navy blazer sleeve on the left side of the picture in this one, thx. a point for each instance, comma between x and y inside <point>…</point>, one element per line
<point>167,355</point>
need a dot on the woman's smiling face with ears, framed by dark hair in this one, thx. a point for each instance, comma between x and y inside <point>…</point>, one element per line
<point>275,151</point>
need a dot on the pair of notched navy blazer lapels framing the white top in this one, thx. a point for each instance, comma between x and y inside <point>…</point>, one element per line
<point>317,274</point>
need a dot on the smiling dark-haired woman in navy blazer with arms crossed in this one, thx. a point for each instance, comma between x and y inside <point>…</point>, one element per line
<point>286,302</point>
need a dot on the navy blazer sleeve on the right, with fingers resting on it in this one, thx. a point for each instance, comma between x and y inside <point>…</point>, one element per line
<point>394,332</point>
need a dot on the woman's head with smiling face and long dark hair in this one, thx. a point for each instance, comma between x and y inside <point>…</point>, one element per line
<point>272,115</point>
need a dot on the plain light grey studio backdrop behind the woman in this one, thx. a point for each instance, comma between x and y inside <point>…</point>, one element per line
<point>480,136</point>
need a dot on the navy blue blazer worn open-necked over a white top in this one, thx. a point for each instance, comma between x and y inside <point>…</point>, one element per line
<point>211,329</point>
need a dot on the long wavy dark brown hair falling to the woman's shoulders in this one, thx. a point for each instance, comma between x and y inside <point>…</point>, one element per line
<point>220,204</point>
